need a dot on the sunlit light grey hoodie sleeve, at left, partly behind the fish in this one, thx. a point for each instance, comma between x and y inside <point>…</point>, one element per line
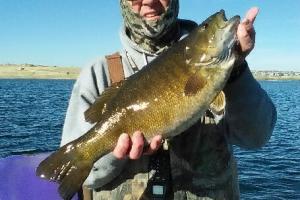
<point>89,85</point>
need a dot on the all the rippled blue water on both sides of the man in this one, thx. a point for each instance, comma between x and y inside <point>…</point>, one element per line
<point>32,114</point>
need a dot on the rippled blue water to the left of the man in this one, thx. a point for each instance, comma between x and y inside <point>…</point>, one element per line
<point>32,114</point>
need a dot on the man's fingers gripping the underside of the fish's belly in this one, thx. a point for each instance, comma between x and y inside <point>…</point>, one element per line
<point>133,147</point>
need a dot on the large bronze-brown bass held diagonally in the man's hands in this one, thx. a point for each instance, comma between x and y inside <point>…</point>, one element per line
<point>167,96</point>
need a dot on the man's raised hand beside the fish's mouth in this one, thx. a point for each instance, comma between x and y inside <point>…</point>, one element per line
<point>246,32</point>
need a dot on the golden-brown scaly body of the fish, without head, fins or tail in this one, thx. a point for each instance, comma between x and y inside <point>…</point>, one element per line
<point>153,108</point>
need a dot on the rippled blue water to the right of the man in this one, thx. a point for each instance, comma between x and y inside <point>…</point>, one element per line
<point>273,172</point>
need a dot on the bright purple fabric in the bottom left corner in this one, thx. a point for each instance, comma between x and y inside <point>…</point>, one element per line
<point>19,182</point>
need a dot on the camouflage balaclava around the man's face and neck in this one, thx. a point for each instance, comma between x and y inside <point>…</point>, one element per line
<point>152,36</point>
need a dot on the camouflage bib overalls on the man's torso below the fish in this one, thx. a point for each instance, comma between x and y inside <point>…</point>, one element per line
<point>202,168</point>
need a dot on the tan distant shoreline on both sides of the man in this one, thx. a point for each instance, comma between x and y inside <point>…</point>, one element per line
<point>29,71</point>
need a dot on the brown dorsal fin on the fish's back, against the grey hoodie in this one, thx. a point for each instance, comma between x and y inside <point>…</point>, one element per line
<point>94,112</point>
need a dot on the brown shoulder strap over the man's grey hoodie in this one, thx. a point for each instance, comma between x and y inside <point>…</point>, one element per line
<point>115,67</point>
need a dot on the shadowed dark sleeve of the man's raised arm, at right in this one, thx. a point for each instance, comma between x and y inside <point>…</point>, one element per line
<point>250,114</point>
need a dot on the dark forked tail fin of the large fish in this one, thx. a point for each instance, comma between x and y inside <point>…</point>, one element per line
<point>67,167</point>
